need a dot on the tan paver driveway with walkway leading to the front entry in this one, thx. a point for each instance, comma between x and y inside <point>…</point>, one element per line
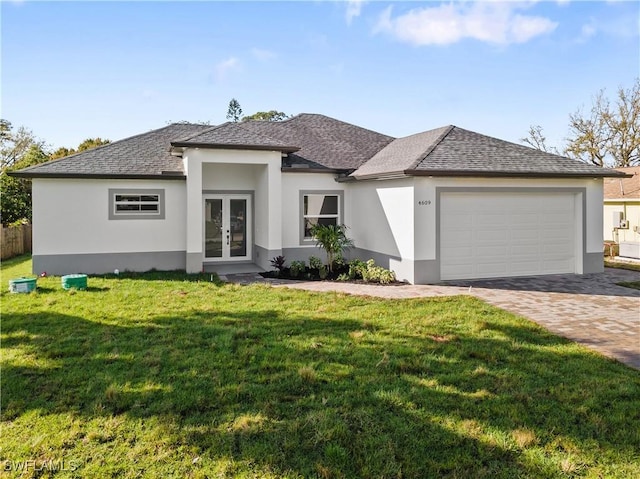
<point>590,309</point>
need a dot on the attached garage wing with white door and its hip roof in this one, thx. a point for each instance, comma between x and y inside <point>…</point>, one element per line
<point>482,208</point>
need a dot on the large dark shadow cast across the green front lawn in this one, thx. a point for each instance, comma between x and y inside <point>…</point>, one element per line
<point>319,396</point>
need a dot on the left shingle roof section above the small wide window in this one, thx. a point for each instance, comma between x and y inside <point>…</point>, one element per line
<point>144,155</point>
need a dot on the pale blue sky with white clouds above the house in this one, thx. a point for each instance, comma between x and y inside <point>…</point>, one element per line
<point>73,70</point>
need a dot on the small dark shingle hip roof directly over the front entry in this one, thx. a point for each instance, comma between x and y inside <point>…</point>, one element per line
<point>233,135</point>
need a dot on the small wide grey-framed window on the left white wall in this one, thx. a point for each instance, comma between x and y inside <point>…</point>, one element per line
<point>136,204</point>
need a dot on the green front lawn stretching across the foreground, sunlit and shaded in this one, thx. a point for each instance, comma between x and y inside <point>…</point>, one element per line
<point>167,375</point>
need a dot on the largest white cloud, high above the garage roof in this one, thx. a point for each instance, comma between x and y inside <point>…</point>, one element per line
<point>490,22</point>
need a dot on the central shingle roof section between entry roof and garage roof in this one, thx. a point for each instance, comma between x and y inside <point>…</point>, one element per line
<point>324,142</point>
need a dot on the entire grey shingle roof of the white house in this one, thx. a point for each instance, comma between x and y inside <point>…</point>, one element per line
<point>317,142</point>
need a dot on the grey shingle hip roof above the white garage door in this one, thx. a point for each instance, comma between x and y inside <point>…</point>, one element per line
<point>454,151</point>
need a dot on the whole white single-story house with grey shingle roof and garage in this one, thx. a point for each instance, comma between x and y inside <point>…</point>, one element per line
<point>439,205</point>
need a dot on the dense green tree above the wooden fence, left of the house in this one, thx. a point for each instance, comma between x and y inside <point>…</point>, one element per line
<point>15,200</point>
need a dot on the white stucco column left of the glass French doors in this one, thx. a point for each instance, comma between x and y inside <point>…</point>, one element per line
<point>193,168</point>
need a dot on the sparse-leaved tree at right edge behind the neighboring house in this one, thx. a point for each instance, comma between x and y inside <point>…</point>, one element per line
<point>608,135</point>
